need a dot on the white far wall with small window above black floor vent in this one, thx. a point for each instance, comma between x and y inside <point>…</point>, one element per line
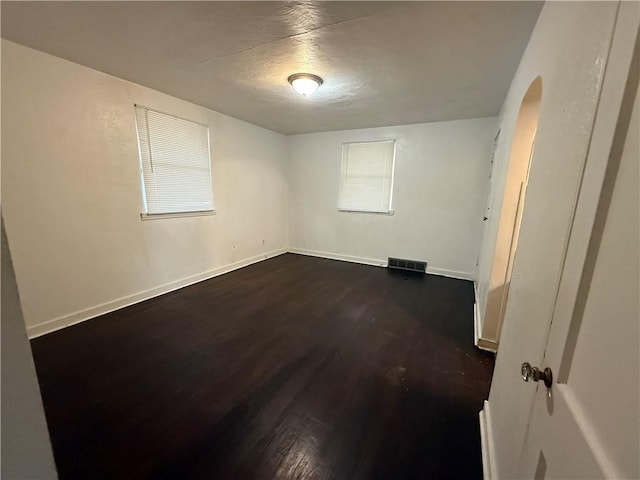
<point>441,176</point>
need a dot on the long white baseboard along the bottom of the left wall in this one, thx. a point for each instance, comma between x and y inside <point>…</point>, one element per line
<point>97,310</point>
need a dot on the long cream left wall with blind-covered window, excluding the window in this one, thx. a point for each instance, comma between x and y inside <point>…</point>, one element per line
<point>72,199</point>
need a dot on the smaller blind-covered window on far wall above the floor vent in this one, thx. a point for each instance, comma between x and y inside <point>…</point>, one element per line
<point>366,177</point>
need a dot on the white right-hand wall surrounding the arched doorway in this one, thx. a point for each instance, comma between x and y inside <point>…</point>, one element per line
<point>568,49</point>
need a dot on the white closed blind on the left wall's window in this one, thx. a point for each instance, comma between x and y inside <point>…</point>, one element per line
<point>174,162</point>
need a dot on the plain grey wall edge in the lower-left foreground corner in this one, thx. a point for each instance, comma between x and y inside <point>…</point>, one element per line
<point>26,448</point>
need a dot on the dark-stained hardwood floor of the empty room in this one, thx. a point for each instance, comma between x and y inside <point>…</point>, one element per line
<point>293,368</point>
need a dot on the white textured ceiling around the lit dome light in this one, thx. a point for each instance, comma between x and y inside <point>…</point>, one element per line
<point>383,63</point>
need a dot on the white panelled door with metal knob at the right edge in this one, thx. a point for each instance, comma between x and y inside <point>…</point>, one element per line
<point>588,424</point>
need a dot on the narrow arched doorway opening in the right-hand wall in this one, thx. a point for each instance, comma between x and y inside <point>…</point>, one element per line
<point>522,148</point>
